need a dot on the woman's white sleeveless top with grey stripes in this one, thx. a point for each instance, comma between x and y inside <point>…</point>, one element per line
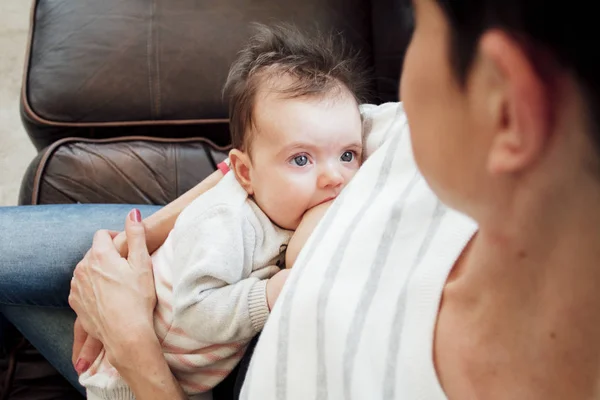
<point>357,315</point>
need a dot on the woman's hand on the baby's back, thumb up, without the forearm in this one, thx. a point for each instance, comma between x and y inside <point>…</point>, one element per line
<point>114,297</point>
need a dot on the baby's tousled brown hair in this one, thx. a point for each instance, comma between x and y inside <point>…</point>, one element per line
<point>318,65</point>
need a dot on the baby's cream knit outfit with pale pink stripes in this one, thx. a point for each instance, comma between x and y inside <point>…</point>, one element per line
<point>210,277</point>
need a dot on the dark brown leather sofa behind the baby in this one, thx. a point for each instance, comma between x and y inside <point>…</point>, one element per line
<point>123,98</point>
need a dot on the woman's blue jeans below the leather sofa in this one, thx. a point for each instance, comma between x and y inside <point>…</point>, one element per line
<point>39,248</point>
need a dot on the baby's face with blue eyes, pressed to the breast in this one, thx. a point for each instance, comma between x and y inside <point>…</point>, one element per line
<point>304,151</point>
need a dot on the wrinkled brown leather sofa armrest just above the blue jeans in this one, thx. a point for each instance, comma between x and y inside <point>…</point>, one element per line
<point>131,170</point>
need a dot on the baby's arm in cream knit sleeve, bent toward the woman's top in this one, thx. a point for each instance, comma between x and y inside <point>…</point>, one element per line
<point>215,298</point>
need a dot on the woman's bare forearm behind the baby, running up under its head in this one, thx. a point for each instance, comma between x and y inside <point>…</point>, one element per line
<point>159,224</point>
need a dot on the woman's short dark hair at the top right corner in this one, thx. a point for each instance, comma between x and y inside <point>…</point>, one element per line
<point>565,31</point>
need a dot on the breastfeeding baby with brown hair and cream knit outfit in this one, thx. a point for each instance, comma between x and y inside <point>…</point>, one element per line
<point>297,140</point>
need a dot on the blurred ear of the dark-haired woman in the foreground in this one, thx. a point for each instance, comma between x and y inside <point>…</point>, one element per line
<point>522,108</point>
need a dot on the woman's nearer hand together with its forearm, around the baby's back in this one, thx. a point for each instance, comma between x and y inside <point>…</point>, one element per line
<point>114,299</point>
